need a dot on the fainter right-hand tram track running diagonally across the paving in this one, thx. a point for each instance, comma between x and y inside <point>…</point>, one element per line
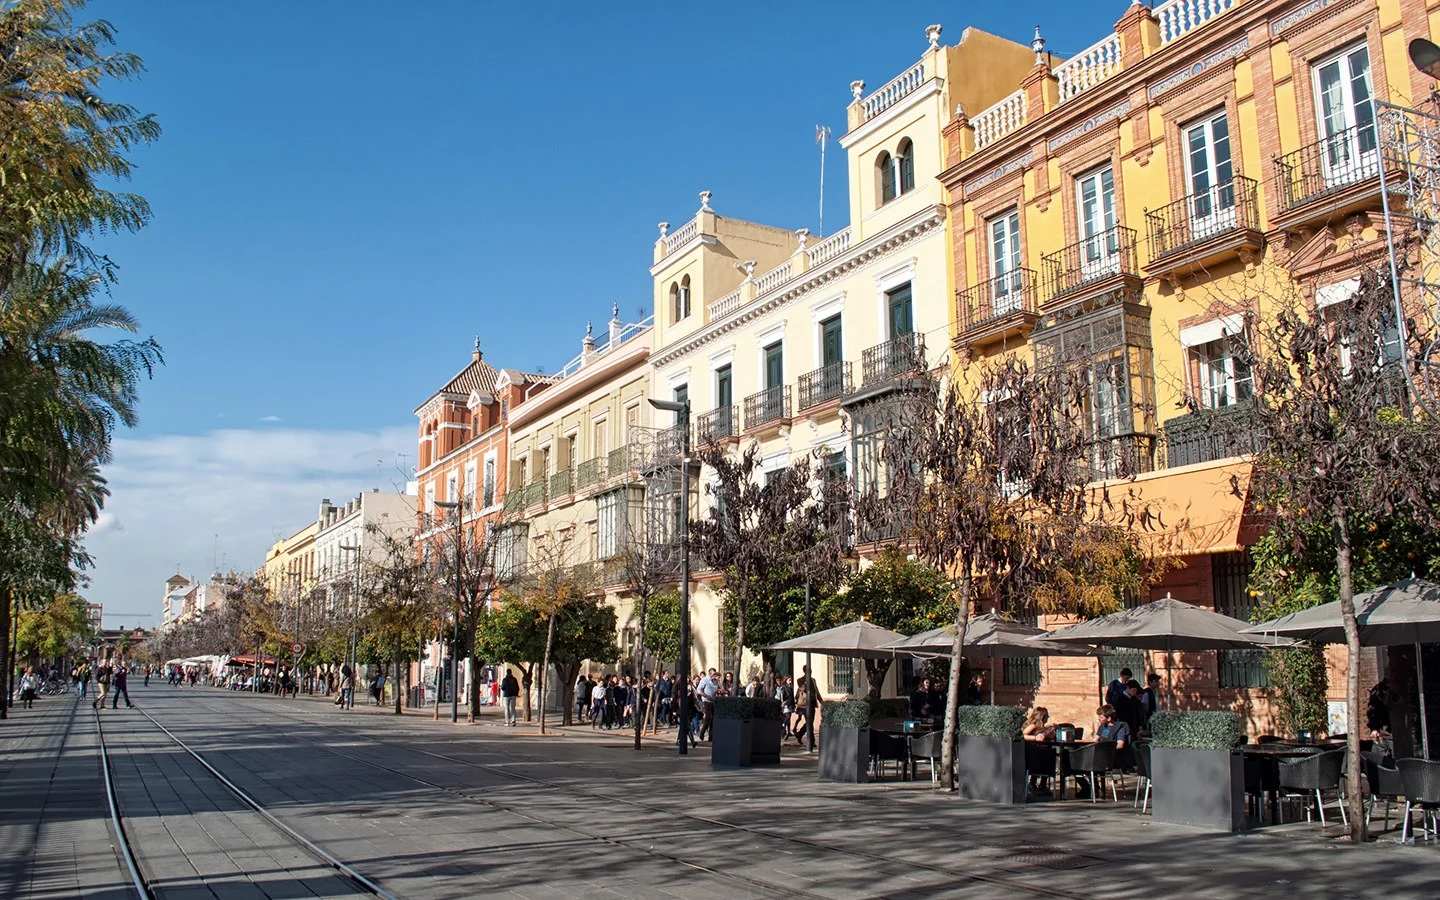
<point>765,834</point>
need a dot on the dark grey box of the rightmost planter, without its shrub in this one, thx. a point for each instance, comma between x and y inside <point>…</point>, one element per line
<point>1200,788</point>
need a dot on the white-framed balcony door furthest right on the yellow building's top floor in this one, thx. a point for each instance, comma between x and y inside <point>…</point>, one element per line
<point>1347,117</point>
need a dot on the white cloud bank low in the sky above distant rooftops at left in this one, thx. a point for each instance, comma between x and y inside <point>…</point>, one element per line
<point>176,493</point>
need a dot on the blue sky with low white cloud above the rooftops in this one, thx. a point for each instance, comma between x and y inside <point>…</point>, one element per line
<point>346,194</point>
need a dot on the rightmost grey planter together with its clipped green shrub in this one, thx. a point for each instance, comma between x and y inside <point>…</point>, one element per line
<point>1200,778</point>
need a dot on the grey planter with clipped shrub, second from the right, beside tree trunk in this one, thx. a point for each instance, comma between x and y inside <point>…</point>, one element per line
<point>990,754</point>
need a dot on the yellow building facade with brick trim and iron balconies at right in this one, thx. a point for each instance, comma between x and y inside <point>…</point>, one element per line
<point>1133,204</point>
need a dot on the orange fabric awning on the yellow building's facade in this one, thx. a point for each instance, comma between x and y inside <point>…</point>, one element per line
<point>1193,510</point>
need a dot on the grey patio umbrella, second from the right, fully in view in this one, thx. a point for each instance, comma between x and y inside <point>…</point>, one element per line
<point>1166,624</point>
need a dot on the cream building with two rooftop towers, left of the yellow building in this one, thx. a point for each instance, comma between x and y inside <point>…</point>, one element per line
<point>786,339</point>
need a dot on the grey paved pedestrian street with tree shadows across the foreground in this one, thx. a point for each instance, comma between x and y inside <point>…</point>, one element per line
<point>424,809</point>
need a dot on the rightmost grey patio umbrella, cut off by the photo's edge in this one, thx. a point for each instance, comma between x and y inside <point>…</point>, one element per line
<point>1405,613</point>
